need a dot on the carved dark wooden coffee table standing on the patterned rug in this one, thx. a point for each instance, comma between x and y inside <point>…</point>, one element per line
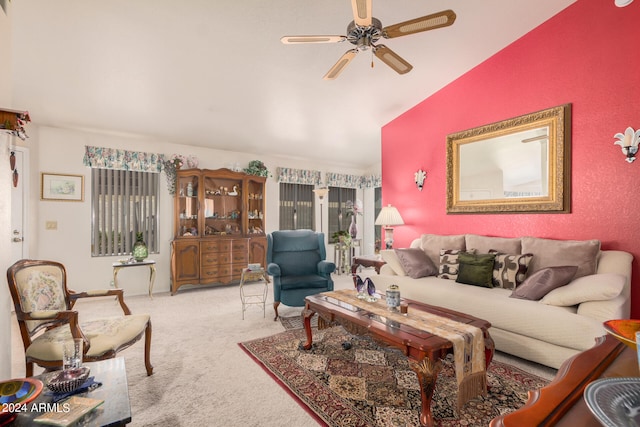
<point>423,349</point>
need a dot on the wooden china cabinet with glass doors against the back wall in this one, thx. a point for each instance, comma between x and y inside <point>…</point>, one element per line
<point>219,218</point>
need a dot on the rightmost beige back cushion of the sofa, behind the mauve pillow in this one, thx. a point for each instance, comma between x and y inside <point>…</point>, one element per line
<point>551,253</point>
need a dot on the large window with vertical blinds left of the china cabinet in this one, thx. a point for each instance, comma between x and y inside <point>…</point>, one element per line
<point>123,204</point>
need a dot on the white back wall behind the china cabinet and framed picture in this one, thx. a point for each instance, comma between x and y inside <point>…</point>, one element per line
<point>61,151</point>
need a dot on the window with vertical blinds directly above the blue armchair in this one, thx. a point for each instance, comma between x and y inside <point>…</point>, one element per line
<point>296,207</point>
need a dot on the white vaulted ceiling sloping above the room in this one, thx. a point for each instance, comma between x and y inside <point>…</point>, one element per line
<point>214,73</point>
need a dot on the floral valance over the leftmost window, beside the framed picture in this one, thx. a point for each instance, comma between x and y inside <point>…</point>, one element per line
<point>113,158</point>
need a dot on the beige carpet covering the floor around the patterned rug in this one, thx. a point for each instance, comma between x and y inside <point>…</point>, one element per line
<point>201,375</point>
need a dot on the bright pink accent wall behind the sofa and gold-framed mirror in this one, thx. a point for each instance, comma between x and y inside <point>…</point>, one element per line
<point>587,55</point>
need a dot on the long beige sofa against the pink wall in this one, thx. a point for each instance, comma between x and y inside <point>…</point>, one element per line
<point>549,330</point>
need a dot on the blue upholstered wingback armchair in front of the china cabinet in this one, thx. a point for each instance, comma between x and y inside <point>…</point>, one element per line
<point>296,260</point>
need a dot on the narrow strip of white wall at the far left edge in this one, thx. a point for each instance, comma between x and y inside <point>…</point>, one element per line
<point>5,196</point>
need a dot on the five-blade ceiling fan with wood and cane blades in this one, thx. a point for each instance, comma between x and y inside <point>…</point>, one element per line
<point>365,30</point>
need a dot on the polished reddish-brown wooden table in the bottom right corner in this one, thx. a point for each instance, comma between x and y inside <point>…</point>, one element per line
<point>561,403</point>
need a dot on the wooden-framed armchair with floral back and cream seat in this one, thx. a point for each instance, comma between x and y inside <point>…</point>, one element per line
<point>43,306</point>
